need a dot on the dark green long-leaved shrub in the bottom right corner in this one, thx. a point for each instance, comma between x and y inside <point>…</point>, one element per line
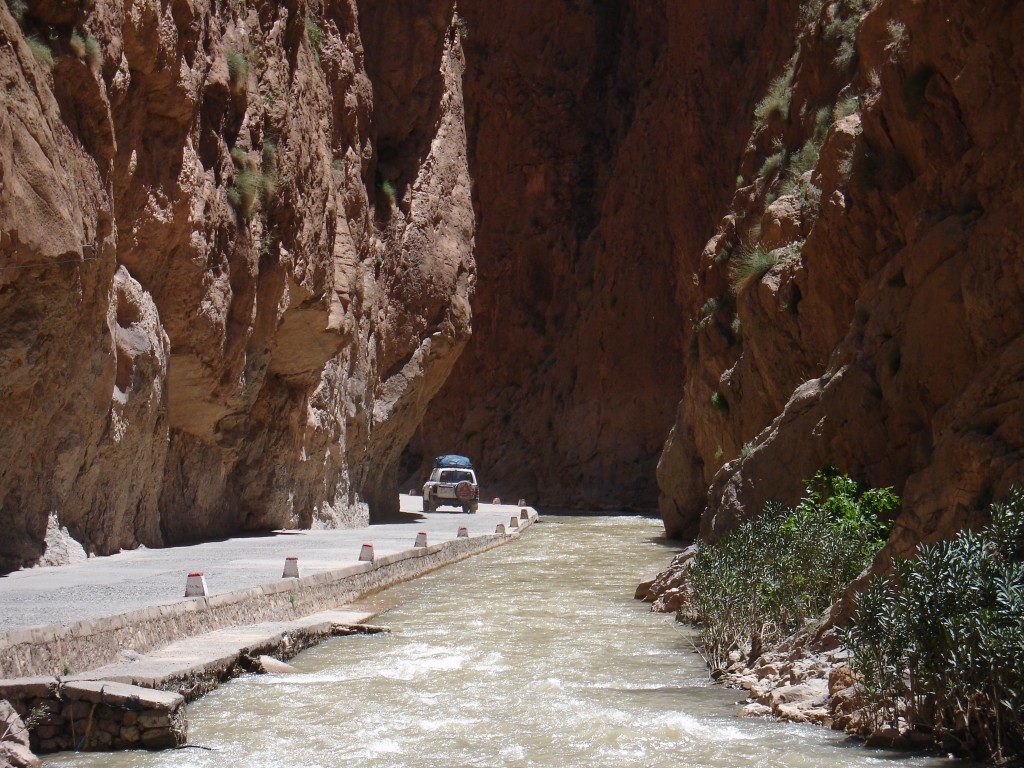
<point>941,643</point>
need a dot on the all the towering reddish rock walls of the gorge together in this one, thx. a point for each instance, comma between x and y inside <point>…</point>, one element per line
<point>261,262</point>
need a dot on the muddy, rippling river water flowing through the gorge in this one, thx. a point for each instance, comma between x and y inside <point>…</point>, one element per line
<point>532,655</point>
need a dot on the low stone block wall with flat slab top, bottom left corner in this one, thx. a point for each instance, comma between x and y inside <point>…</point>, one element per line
<point>89,716</point>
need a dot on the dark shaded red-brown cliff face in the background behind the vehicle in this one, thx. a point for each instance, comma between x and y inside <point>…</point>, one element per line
<point>604,142</point>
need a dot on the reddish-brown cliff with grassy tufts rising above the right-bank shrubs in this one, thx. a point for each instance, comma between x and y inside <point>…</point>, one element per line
<point>888,338</point>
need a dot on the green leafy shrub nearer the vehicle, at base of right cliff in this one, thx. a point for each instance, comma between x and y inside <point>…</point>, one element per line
<point>785,567</point>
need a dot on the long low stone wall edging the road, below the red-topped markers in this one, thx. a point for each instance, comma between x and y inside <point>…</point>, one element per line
<point>90,645</point>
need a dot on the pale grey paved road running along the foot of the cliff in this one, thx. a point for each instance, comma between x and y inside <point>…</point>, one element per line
<point>106,586</point>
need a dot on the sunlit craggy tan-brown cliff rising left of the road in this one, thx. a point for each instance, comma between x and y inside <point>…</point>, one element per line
<point>237,263</point>
